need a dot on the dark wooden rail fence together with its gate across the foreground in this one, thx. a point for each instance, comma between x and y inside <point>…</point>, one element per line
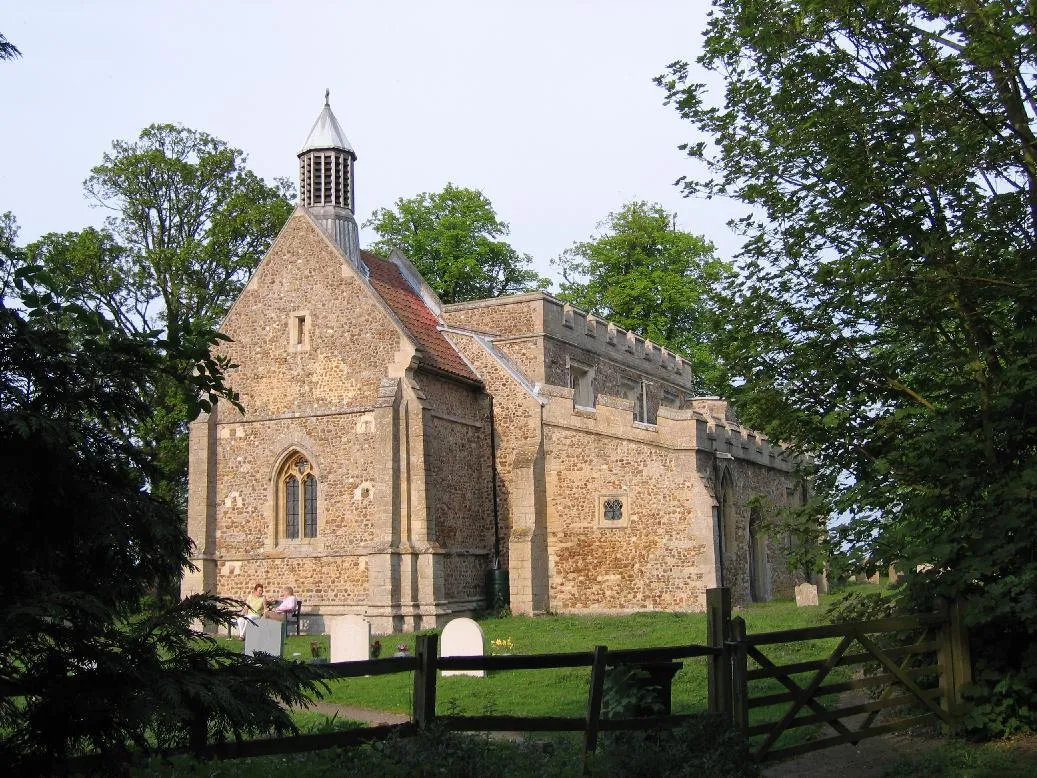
<point>924,677</point>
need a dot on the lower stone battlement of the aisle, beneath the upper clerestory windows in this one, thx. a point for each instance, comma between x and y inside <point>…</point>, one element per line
<point>684,429</point>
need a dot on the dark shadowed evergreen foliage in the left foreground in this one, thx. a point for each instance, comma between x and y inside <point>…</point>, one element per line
<point>89,660</point>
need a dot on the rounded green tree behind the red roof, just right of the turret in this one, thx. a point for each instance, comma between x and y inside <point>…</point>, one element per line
<point>454,238</point>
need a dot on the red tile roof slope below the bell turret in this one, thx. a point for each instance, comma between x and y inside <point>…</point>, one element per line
<point>416,317</point>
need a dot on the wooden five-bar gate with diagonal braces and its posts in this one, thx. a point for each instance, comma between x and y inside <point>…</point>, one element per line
<point>919,679</point>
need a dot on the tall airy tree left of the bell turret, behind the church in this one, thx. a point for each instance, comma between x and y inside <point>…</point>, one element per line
<point>189,225</point>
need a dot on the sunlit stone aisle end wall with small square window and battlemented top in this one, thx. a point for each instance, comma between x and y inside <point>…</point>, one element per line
<point>660,554</point>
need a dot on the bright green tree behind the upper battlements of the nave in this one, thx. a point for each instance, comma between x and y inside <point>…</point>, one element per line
<point>651,279</point>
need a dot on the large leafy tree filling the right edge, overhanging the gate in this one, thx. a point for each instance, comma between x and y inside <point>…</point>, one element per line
<point>886,317</point>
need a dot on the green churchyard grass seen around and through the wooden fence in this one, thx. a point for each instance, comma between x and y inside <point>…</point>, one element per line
<point>562,692</point>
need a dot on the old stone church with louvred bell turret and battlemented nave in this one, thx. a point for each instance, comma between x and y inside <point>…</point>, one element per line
<point>395,451</point>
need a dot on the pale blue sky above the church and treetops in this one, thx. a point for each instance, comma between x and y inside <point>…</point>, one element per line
<point>547,107</point>
